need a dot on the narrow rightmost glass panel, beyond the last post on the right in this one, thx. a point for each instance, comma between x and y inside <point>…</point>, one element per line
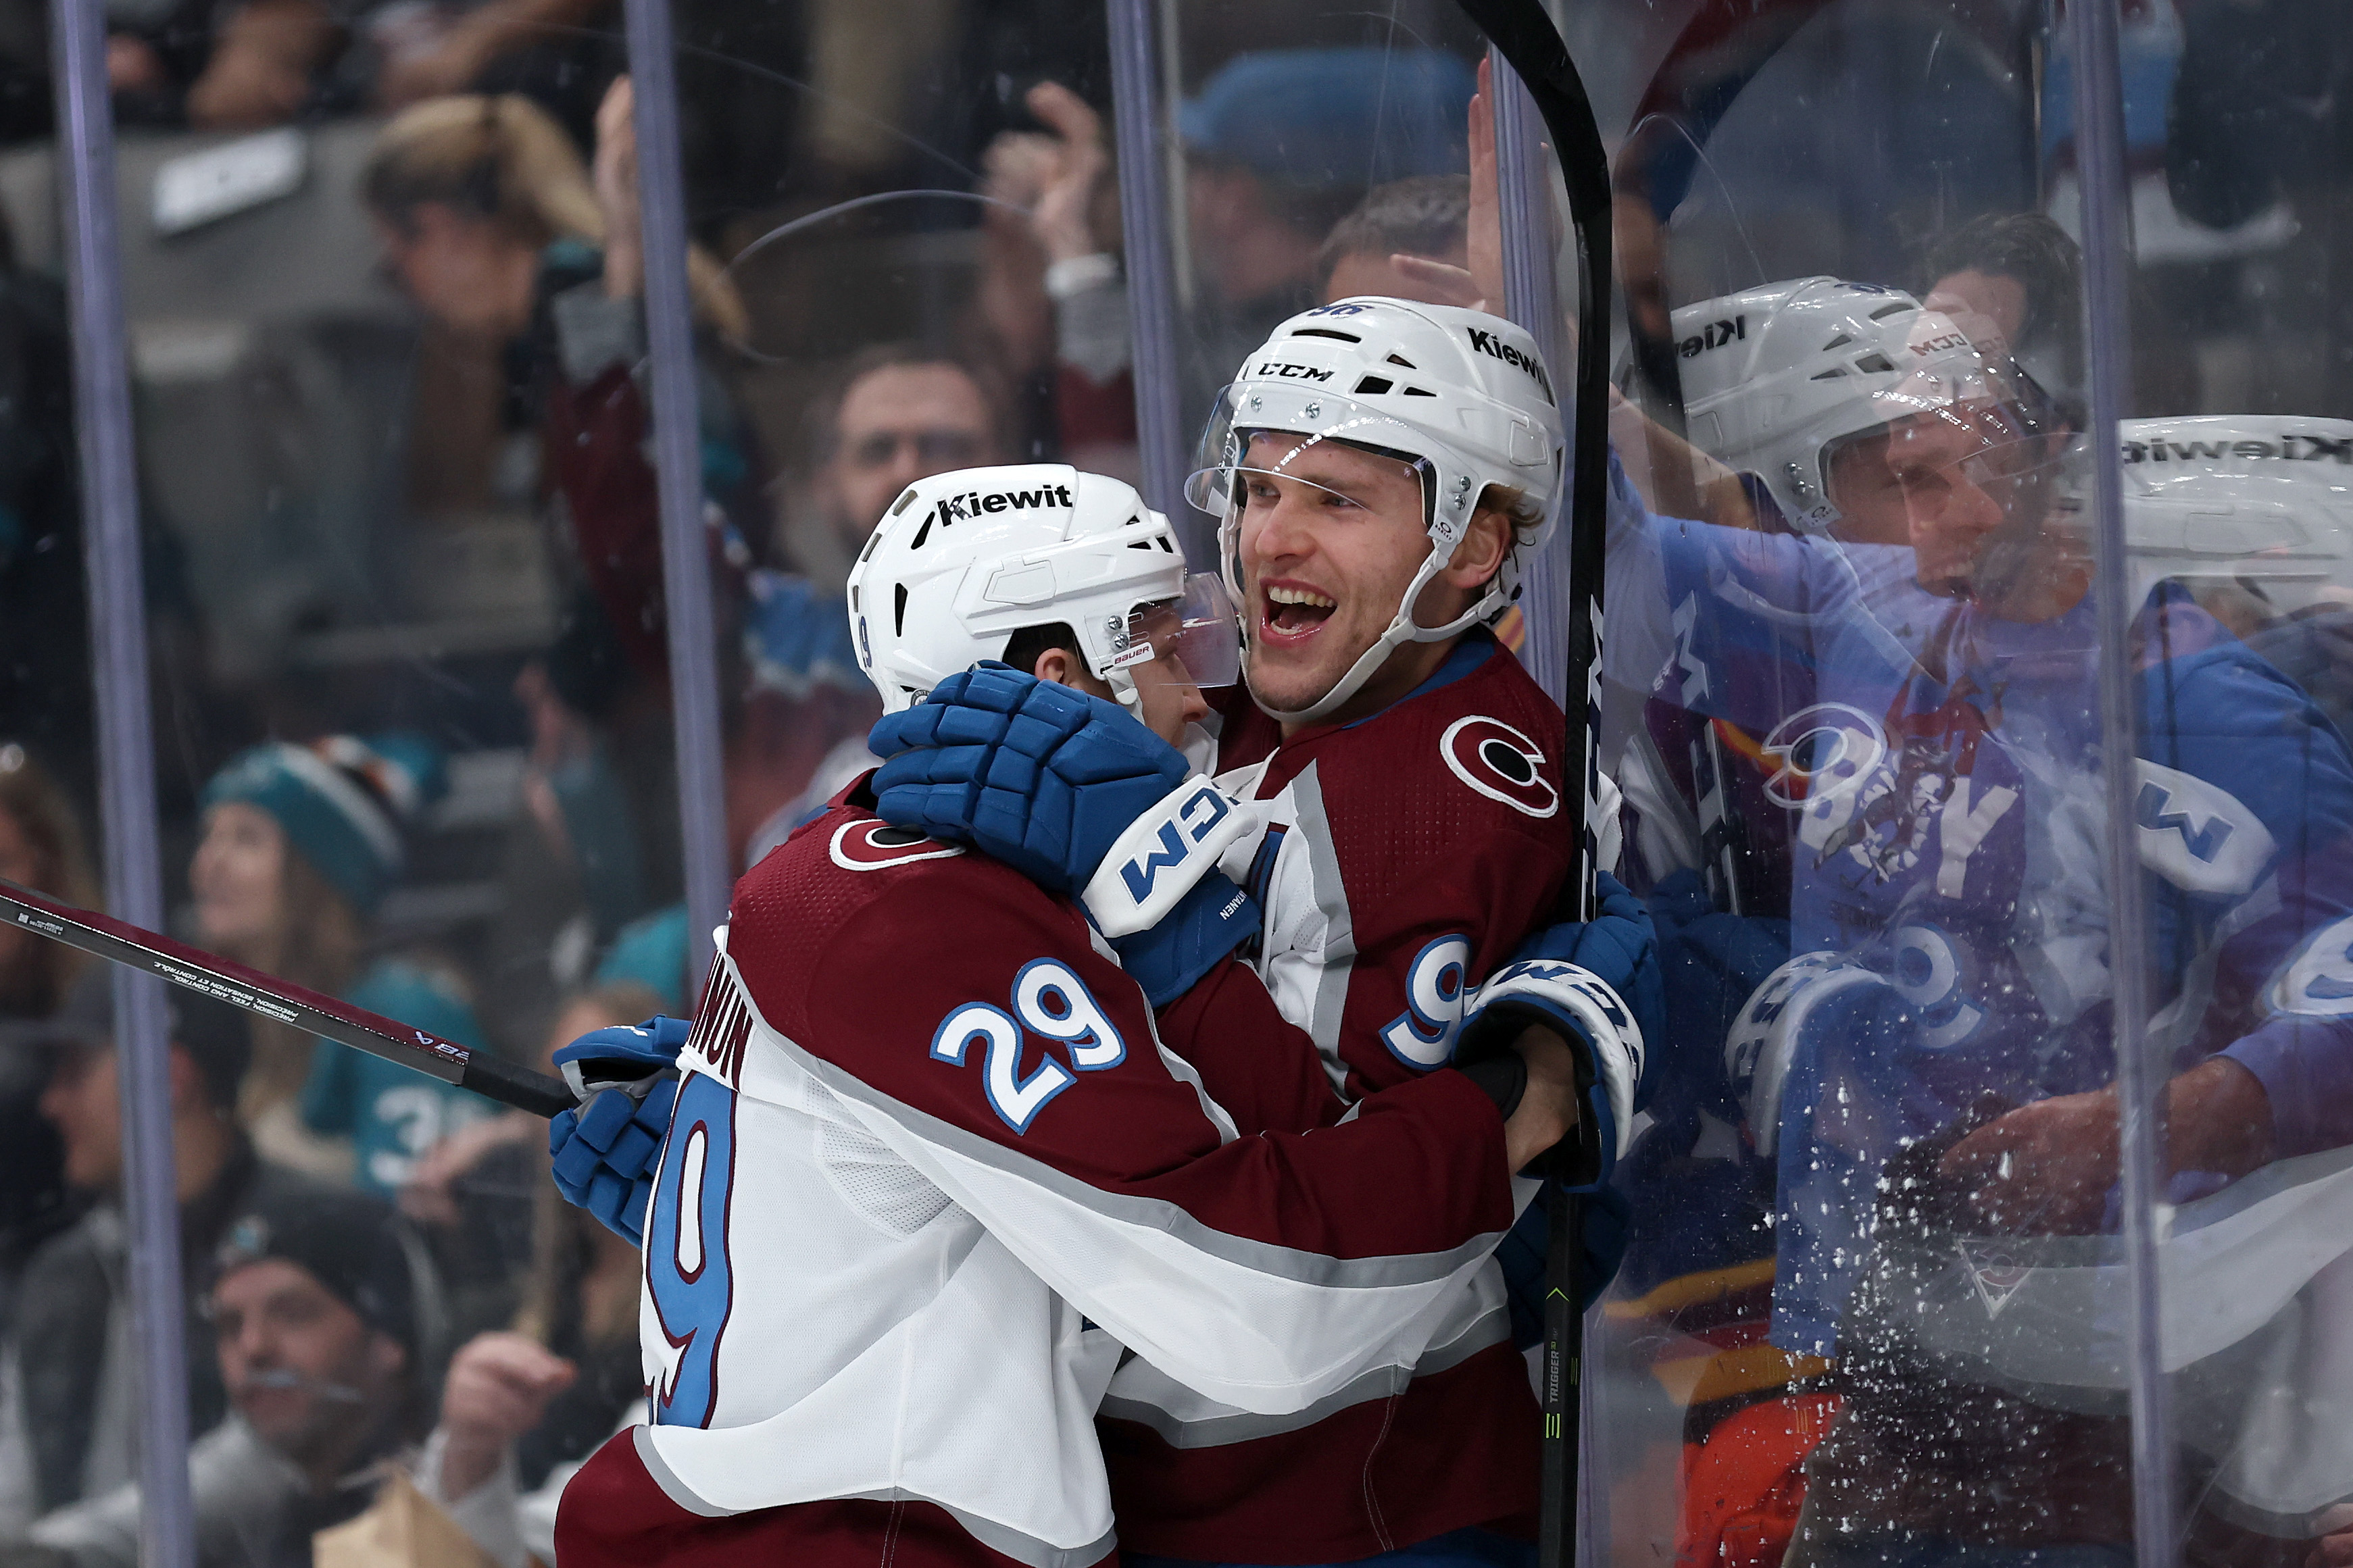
<point>2237,485</point>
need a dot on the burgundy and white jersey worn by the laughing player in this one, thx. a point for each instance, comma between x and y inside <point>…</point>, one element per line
<point>1404,859</point>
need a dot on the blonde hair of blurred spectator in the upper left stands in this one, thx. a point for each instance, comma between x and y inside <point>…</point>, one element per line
<point>505,161</point>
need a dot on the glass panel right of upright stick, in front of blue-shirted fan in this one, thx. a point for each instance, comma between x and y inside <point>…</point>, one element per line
<point>1855,704</point>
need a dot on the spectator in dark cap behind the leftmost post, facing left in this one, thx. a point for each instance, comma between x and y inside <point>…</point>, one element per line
<point>67,1416</point>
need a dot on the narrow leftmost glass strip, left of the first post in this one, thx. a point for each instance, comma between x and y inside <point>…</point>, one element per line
<point>65,1367</point>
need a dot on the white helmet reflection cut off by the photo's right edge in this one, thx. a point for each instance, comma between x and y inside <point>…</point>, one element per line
<point>2260,500</point>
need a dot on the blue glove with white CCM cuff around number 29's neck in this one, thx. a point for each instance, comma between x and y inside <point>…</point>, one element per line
<point>1067,789</point>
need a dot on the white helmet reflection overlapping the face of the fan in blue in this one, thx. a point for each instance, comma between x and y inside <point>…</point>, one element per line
<point>1778,380</point>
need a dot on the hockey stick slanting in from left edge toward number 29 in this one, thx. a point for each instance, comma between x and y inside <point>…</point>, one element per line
<point>293,1005</point>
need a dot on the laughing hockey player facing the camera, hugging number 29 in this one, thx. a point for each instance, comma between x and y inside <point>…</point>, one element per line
<point>1380,474</point>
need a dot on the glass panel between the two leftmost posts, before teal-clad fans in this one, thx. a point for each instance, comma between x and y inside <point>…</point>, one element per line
<point>408,749</point>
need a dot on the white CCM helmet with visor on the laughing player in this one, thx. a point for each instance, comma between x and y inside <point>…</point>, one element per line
<point>1460,396</point>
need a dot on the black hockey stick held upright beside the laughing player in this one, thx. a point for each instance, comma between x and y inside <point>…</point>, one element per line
<point>1528,39</point>
